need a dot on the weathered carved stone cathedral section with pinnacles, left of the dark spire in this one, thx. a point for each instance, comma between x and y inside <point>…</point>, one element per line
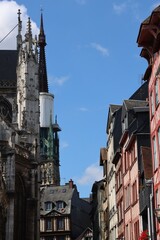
<point>19,139</point>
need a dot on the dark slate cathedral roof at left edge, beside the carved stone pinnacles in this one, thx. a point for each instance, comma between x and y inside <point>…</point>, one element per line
<point>8,64</point>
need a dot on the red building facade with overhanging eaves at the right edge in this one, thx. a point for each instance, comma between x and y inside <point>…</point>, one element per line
<point>149,40</point>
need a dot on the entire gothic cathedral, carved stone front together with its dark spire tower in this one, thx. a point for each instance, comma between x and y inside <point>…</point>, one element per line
<point>29,142</point>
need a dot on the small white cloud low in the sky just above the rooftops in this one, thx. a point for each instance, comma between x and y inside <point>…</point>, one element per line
<point>91,174</point>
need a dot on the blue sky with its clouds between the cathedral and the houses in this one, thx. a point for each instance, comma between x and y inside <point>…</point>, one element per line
<point>92,61</point>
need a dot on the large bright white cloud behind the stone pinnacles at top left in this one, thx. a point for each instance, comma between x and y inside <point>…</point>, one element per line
<point>9,19</point>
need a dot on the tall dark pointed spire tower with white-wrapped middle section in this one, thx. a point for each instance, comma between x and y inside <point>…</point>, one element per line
<point>49,140</point>
